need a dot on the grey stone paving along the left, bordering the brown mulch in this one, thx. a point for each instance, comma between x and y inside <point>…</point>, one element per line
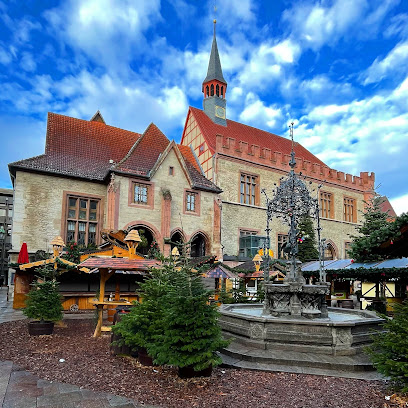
<point>21,389</point>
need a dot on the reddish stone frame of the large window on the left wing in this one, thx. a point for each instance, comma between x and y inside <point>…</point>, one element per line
<point>98,221</point>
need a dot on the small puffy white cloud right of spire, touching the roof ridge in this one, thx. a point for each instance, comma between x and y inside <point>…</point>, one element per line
<point>257,112</point>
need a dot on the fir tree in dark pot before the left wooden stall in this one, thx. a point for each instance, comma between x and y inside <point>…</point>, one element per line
<point>43,303</point>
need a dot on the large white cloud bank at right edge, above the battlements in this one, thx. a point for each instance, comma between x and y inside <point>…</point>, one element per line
<point>364,135</point>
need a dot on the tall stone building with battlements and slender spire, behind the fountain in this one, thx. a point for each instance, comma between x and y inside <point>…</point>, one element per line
<point>243,160</point>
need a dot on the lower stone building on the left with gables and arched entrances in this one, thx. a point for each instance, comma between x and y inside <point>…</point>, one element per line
<point>93,176</point>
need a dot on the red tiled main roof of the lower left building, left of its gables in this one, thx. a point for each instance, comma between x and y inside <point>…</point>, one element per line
<point>80,148</point>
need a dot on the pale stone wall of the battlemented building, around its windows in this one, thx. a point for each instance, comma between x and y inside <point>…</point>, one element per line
<point>236,216</point>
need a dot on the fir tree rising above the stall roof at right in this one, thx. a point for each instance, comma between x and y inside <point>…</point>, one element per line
<point>374,230</point>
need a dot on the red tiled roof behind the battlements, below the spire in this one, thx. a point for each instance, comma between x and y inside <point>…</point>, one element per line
<point>248,134</point>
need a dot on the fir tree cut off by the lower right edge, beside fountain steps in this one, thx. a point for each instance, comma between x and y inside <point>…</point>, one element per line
<point>389,351</point>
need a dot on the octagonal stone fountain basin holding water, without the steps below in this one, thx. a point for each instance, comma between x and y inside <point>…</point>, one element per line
<point>343,332</point>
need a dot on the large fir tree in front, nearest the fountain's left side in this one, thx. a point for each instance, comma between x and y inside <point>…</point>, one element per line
<point>191,334</point>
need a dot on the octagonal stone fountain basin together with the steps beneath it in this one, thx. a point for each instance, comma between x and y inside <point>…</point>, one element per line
<point>328,346</point>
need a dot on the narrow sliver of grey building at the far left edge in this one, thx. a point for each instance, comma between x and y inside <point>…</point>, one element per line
<point>6,219</point>
